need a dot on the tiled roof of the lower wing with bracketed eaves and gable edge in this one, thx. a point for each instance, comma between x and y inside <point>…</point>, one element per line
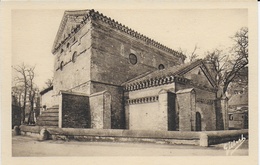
<point>172,74</point>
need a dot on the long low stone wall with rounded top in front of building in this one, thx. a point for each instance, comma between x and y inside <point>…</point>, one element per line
<point>205,138</point>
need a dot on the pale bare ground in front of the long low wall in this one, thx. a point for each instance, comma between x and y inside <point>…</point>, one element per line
<point>30,146</point>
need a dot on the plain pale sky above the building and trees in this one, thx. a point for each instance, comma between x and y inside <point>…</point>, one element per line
<point>34,31</point>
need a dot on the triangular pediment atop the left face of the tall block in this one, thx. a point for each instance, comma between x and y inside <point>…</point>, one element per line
<point>71,22</point>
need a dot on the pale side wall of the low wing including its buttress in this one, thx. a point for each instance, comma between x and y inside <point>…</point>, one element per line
<point>151,112</point>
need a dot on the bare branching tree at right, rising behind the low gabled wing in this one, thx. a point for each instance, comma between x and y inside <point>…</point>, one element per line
<point>227,67</point>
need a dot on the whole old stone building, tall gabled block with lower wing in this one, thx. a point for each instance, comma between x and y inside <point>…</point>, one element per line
<point>108,76</point>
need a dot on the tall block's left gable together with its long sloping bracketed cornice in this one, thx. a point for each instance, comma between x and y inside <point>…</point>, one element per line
<point>74,20</point>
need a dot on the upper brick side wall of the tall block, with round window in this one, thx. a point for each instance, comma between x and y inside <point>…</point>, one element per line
<point>110,55</point>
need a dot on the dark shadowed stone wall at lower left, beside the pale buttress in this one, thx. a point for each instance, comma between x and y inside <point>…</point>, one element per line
<point>75,111</point>
